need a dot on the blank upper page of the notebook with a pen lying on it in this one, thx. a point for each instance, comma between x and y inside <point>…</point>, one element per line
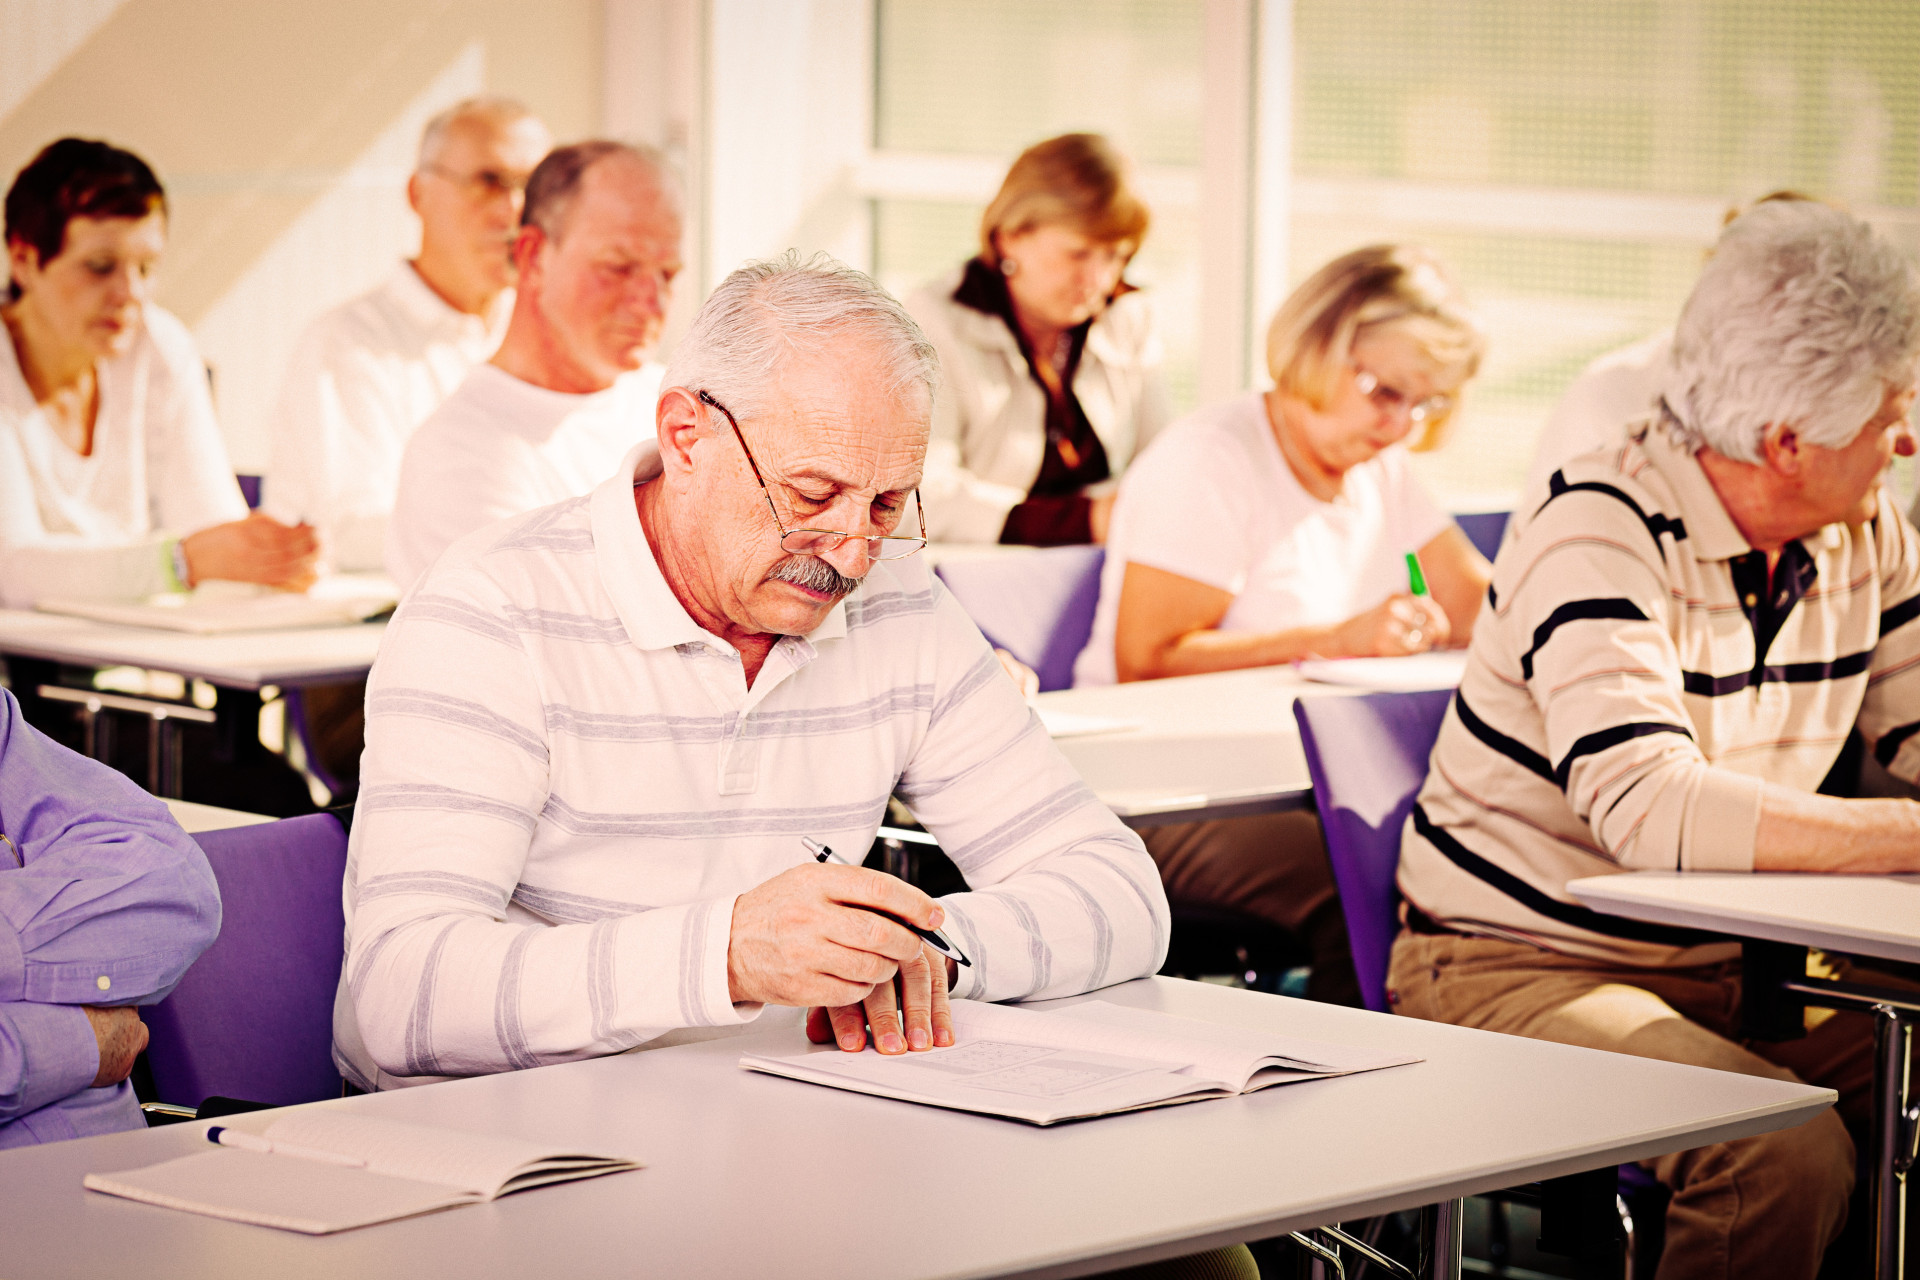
<point>466,1162</point>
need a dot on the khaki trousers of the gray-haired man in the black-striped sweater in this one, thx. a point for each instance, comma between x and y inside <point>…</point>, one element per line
<point>1765,1206</point>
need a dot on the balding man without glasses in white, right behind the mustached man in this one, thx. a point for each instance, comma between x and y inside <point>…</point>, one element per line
<point>571,391</point>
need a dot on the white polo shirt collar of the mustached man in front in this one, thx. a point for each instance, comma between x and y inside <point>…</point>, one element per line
<point>648,607</point>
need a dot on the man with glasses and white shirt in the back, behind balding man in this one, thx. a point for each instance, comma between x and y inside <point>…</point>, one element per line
<point>370,371</point>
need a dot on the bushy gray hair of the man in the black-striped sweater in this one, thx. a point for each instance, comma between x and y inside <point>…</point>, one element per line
<point>1800,318</point>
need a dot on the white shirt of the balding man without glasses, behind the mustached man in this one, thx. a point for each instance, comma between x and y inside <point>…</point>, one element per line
<point>502,446</point>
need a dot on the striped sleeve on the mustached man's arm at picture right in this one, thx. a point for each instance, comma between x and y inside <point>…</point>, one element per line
<point>1063,895</point>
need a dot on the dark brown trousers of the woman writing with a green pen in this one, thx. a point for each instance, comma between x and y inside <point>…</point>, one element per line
<point>1272,866</point>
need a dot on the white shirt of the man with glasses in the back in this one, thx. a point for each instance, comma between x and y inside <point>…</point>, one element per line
<point>364,377</point>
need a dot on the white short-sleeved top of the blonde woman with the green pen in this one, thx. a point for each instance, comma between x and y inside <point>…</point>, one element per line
<point>1216,502</point>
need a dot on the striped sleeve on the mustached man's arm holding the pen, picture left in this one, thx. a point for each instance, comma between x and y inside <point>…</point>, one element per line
<point>458,774</point>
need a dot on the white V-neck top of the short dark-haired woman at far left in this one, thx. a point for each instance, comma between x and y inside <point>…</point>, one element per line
<point>99,527</point>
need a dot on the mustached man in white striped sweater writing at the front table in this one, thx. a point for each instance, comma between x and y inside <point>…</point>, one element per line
<point>600,734</point>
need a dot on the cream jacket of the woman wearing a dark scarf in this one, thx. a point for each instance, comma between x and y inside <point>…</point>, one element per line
<point>990,415</point>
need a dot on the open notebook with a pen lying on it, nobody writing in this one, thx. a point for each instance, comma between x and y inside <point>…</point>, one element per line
<point>408,1170</point>
